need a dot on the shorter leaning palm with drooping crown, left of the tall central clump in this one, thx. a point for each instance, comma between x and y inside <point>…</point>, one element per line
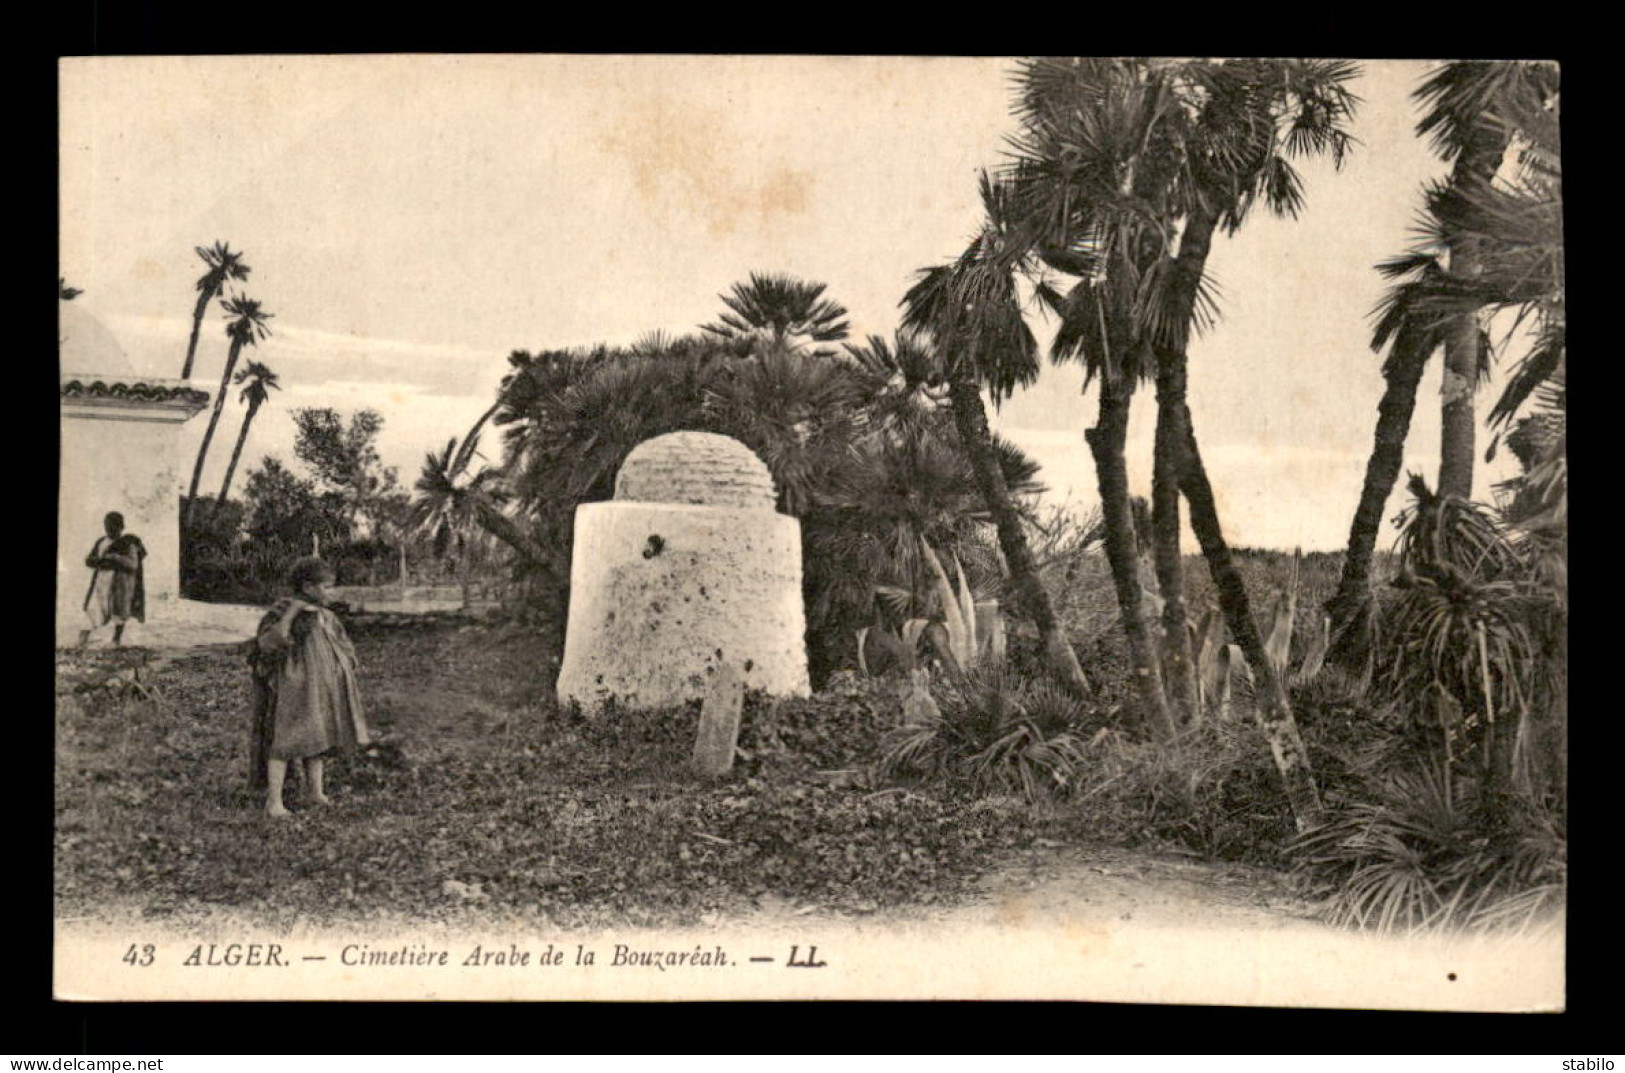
<point>973,310</point>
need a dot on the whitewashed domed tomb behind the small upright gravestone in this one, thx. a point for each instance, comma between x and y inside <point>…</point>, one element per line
<point>688,567</point>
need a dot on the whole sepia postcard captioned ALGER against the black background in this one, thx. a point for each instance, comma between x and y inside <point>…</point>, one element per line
<point>735,528</point>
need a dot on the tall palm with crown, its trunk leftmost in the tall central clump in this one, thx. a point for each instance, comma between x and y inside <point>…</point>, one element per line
<point>1094,170</point>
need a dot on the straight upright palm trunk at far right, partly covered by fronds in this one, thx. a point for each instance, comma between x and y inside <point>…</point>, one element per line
<point>1476,167</point>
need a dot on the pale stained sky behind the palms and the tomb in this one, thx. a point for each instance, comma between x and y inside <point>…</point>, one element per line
<point>414,220</point>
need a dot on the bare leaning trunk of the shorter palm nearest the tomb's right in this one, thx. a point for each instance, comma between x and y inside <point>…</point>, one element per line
<point>973,422</point>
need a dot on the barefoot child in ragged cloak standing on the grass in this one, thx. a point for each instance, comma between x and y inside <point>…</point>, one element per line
<point>308,703</point>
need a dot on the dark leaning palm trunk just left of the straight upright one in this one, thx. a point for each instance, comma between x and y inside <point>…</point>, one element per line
<point>1351,606</point>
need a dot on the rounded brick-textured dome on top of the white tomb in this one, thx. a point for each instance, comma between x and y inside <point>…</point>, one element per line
<point>698,469</point>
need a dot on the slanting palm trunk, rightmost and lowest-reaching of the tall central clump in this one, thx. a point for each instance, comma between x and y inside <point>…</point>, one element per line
<point>1275,711</point>
